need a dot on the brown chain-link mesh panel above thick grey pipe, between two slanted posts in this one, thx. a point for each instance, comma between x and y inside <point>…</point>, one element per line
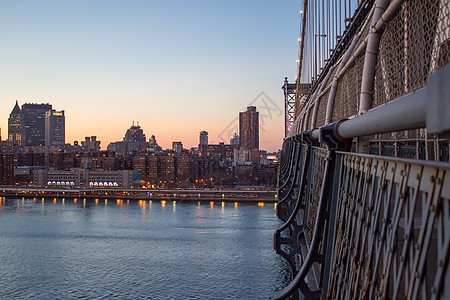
<point>406,49</point>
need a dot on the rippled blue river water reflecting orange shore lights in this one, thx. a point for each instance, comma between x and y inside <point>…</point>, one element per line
<point>138,250</point>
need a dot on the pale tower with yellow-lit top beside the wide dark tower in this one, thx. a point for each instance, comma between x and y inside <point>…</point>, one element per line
<point>54,128</point>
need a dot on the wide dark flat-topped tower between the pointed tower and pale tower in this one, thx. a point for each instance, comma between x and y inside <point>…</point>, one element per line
<point>34,123</point>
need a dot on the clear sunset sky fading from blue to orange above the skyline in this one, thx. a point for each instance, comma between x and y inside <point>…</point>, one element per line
<point>176,67</point>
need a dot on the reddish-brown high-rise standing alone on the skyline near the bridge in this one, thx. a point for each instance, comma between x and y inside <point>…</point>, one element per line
<point>249,129</point>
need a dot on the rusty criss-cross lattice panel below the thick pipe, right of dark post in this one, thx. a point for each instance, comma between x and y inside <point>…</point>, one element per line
<point>392,229</point>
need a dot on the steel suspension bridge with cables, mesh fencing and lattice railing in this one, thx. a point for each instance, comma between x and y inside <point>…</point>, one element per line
<point>364,176</point>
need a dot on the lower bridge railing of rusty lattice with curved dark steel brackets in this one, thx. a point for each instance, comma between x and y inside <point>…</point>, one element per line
<point>365,226</point>
